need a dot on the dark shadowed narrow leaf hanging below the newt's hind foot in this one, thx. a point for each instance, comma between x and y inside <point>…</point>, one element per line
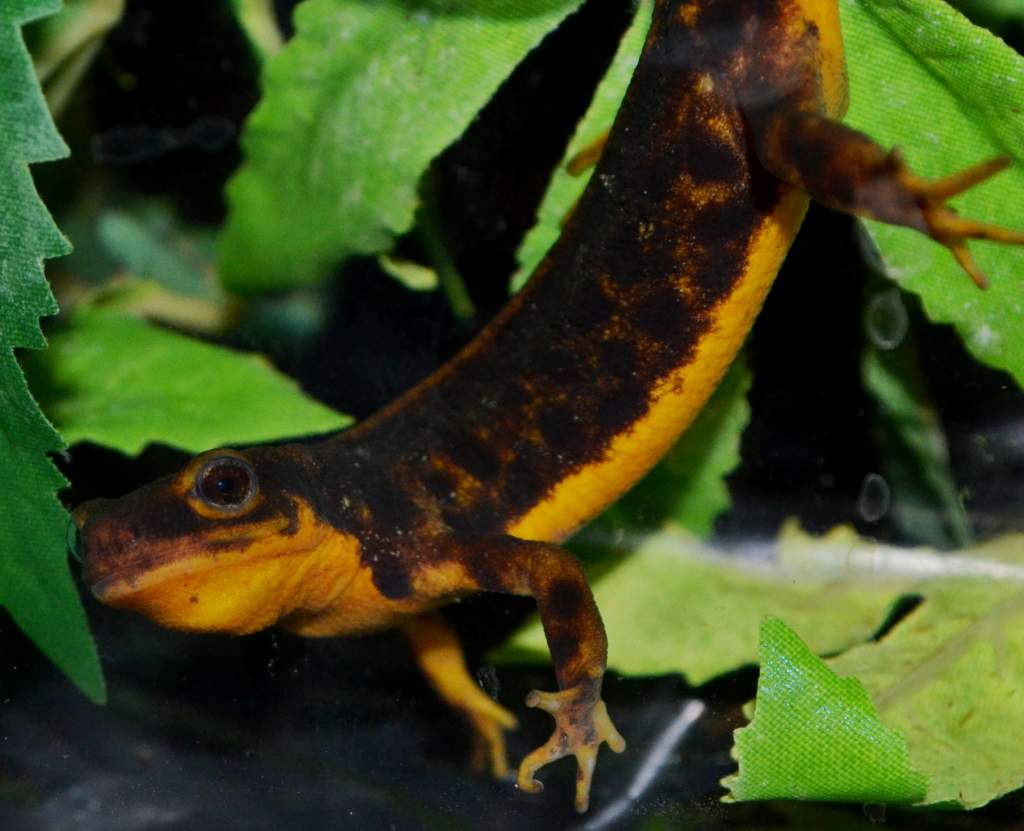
<point>907,429</point>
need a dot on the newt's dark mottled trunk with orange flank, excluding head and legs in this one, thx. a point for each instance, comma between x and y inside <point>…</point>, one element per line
<point>612,349</point>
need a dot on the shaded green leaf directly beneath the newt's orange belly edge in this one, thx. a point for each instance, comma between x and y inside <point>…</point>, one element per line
<point>689,486</point>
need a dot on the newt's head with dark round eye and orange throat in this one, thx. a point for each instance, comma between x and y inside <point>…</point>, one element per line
<point>222,546</point>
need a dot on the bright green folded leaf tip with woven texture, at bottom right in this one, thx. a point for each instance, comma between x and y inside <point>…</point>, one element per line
<point>817,736</point>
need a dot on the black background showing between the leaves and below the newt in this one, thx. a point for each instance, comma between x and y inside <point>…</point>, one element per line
<point>277,732</point>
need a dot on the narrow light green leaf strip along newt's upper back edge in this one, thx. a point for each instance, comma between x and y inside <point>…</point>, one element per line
<point>565,189</point>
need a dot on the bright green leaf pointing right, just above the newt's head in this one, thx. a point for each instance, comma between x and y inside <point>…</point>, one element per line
<point>119,382</point>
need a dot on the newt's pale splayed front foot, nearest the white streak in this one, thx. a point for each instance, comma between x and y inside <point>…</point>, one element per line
<point>582,723</point>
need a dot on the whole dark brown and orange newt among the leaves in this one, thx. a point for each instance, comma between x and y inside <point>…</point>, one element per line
<point>468,483</point>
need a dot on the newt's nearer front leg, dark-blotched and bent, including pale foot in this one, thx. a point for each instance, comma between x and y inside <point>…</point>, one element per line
<point>576,638</point>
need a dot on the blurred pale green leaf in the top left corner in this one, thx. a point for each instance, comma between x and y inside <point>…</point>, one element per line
<point>65,46</point>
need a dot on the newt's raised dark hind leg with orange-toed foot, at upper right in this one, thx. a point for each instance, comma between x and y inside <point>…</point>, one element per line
<point>844,169</point>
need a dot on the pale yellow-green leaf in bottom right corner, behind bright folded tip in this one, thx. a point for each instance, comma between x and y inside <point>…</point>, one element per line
<point>951,678</point>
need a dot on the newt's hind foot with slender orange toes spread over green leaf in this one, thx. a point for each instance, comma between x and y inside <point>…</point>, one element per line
<point>943,224</point>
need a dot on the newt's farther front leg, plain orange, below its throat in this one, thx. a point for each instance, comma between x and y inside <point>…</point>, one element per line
<point>440,657</point>
